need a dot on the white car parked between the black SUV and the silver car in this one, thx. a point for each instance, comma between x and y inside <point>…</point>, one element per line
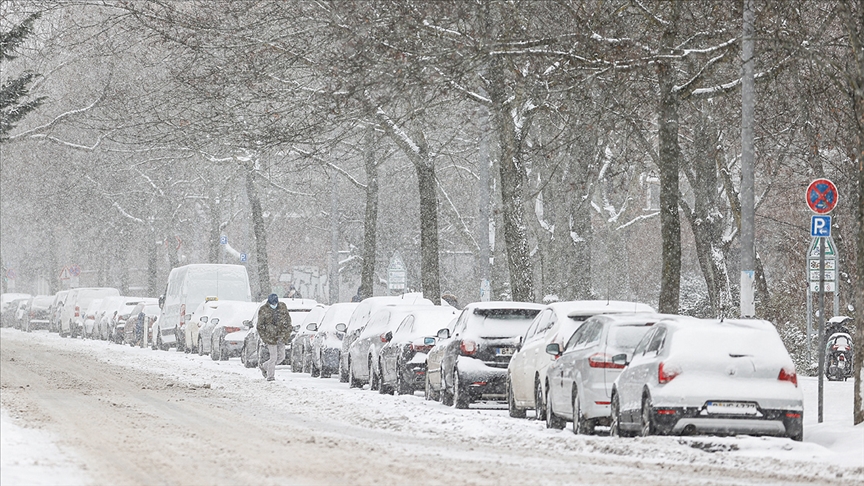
<point>554,324</point>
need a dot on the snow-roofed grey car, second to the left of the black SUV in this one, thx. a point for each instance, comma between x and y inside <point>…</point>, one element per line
<point>363,359</point>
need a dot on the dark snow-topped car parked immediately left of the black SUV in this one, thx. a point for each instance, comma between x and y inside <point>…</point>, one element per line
<point>402,360</point>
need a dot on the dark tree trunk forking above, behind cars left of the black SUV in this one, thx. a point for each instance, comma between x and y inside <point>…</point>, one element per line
<point>429,265</point>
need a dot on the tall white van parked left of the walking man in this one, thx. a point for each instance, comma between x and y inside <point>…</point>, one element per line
<point>188,286</point>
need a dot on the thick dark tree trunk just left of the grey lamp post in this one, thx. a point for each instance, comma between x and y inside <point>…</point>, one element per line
<point>670,153</point>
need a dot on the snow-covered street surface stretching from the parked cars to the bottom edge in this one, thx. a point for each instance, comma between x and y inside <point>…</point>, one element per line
<point>109,414</point>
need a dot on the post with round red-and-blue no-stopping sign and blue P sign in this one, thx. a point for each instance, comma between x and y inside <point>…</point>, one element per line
<point>821,198</point>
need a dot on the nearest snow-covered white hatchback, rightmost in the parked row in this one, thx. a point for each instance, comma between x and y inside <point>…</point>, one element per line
<point>720,377</point>
